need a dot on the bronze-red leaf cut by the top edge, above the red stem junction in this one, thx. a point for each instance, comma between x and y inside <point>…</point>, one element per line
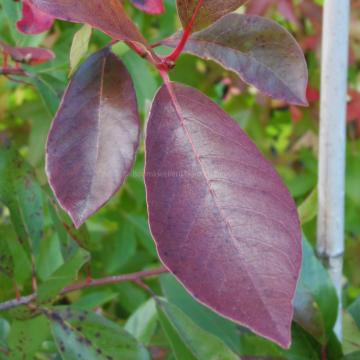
<point>211,11</point>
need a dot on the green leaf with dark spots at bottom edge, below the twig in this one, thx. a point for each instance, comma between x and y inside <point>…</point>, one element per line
<point>90,336</point>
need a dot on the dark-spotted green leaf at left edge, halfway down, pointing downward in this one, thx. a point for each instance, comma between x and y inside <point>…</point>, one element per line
<point>20,192</point>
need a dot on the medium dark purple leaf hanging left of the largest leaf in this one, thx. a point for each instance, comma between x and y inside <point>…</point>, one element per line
<point>94,137</point>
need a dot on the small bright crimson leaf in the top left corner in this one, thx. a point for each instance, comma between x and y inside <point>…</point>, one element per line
<point>33,21</point>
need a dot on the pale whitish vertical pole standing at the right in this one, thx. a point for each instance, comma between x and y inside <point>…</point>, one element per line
<point>330,233</point>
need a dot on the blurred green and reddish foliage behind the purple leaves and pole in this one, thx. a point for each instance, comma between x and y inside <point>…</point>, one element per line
<point>37,238</point>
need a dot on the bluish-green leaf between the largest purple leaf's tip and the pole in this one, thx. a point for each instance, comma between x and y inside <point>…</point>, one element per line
<point>316,300</point>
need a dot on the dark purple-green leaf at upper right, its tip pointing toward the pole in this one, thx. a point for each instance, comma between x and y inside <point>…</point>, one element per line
<point>259,50</point>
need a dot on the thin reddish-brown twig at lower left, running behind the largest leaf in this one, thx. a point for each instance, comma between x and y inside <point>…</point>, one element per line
<point>135,277</point>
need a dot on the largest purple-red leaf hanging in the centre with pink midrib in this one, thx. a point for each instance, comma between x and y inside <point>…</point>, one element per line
<point>222,219</point>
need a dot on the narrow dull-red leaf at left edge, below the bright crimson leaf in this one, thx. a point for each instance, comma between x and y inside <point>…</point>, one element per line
<point>28,55</point>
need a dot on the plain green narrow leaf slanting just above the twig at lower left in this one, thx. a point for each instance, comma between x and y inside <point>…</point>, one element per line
<point>63,276</point>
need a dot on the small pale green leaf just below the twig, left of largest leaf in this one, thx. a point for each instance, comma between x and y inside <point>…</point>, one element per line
<point>142,323</point>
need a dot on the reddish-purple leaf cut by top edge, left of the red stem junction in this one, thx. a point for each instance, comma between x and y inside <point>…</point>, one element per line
<point>108,16</point>
